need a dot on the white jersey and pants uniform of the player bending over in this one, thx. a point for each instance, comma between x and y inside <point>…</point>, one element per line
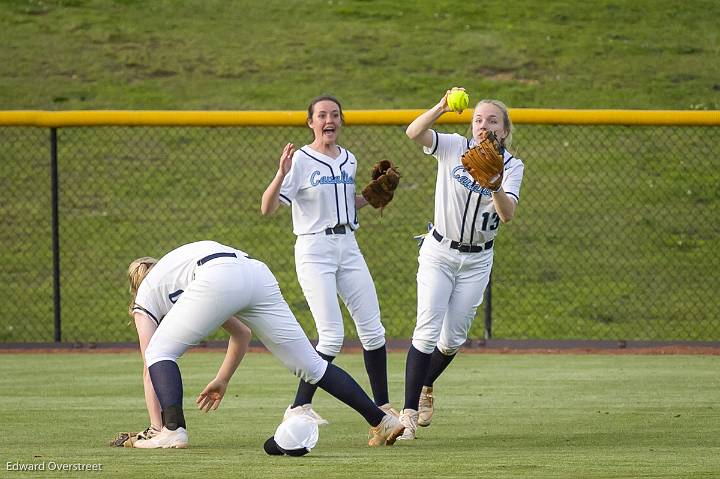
<point>195,288</point>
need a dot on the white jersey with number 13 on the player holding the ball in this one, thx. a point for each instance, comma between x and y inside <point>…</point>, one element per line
<point>464,211</point>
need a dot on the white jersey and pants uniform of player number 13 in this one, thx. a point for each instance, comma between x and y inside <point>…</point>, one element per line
<point>450,282</point>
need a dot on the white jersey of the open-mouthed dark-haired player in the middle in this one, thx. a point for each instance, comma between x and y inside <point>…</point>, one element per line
<point>321,190</point>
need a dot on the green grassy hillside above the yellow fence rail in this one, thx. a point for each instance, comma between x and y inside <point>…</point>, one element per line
<point>276,54</point>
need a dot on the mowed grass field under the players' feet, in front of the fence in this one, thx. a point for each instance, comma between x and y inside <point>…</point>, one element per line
<point>498,416</point>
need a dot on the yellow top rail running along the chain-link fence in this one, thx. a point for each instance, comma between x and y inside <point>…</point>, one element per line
<point>57,119</point>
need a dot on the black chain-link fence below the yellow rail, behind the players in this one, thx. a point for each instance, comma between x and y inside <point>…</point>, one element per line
<point>616,237</point>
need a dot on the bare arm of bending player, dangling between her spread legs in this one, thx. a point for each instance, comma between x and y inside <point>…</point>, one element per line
<point>240,335</point>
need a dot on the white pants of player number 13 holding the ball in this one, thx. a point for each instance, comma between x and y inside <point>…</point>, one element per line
<point>450,288</point>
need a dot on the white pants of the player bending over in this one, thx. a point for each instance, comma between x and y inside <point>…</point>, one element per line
<point>244,287</point>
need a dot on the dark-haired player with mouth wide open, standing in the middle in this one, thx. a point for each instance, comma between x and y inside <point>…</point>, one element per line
<point>318,181</point>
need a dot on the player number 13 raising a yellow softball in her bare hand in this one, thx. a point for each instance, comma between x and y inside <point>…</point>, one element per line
<point>457,255</point>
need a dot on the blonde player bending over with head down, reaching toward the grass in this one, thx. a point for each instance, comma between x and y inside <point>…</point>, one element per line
<point>193,290</point>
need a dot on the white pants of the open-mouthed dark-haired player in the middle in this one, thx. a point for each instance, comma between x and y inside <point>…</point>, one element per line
<point>332,265</point>
